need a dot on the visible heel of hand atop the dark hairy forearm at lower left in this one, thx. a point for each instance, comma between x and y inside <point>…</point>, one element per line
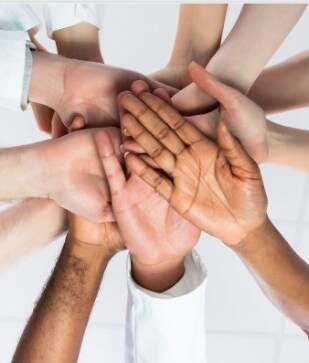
<point>98,234</point>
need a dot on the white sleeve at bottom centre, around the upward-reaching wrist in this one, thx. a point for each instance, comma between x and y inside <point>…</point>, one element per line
<point>168,327</point>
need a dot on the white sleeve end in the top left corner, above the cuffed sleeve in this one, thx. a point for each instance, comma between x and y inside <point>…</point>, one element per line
<point>18,17</point>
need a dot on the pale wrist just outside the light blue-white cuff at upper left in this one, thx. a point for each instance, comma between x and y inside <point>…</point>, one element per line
<point>47,79</point>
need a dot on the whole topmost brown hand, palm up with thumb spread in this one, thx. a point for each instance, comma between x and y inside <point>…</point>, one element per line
<point>217,188</point>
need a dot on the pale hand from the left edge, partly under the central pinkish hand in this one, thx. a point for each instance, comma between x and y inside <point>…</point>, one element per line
<point>75,178</point>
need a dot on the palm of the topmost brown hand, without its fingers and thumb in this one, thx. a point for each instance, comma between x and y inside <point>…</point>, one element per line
<point>201,194</point>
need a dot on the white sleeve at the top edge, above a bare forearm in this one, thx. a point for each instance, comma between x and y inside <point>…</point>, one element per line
<point>60,16</point>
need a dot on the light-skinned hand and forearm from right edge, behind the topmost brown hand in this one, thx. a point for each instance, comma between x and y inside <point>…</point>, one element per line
<point>264,141</point>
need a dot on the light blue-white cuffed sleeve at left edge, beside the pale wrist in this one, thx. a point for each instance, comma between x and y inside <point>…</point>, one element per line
<point>15,69</point>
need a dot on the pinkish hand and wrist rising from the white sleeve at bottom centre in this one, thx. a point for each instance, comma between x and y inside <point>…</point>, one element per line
<point>156,235</point>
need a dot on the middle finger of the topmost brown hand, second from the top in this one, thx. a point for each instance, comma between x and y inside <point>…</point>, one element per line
<point>152,123</point>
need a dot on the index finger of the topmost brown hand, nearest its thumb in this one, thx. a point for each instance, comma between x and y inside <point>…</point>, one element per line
<point>186,132</point>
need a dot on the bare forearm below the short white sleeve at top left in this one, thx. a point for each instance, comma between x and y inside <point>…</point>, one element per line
<point>80,41</point>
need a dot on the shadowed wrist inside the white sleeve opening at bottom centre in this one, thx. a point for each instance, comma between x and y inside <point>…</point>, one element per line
<point>160,276</point>
